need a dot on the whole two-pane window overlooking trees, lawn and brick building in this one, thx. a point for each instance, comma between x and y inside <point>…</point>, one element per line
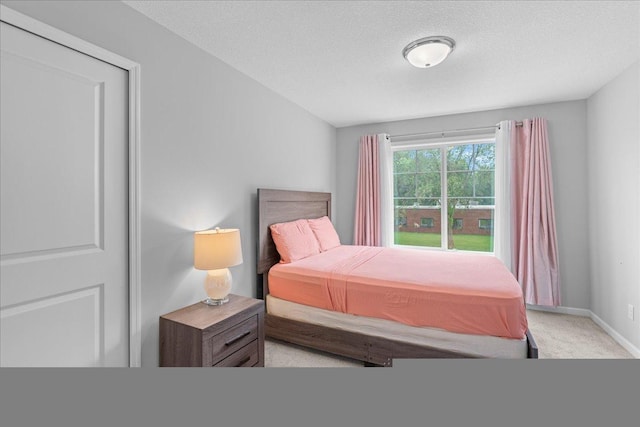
<point>438,187</point>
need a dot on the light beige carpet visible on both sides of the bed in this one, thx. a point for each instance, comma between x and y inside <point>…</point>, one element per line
<point>559,336</point>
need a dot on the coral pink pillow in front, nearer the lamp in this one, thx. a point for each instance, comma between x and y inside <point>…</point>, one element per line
<point>294,240</point>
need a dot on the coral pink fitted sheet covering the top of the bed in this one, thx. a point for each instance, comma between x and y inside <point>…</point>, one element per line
<point>458,292</point>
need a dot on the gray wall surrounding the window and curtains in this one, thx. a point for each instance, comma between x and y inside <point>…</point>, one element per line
<point>568,141</point>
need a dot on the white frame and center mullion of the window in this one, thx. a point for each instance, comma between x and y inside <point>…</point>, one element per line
<point>442,144</point>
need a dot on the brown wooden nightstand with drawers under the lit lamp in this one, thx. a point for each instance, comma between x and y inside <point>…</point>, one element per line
<point>231,334</point>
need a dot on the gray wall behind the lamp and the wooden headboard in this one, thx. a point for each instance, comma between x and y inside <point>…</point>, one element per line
<point>210,136</point>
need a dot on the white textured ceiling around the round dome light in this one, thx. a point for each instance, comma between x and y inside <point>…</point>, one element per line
<point>342,60</point>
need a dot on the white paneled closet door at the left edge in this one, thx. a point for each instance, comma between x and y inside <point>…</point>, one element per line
<point>64,194</point>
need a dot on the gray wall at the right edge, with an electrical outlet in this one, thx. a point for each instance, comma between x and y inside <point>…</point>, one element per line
<point>614,202</point>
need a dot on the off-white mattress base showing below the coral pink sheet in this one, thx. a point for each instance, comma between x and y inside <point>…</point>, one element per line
<point>475,345</point>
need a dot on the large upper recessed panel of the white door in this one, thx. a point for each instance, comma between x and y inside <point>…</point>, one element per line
<point>74,220</point>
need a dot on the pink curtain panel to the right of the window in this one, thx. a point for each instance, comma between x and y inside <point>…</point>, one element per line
<point>533,240</point>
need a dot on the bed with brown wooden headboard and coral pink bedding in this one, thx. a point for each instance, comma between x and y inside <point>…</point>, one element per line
<point>365,303</point>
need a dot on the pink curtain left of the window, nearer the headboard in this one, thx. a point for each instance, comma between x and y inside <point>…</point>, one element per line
<point>367,220</point>
